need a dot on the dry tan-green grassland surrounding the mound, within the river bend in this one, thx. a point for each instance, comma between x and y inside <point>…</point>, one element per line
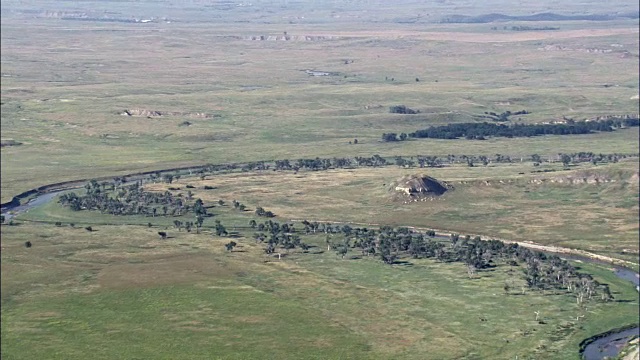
<point>504,201</point>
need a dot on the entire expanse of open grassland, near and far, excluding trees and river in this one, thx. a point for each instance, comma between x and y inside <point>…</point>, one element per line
<point>121,292</point>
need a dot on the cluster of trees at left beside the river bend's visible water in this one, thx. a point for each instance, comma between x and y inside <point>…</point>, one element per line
<point>109,198</point>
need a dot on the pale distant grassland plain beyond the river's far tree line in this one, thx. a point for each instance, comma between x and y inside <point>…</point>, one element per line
<point>64,89</point>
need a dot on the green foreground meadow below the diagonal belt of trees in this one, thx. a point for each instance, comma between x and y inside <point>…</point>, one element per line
<point>72,292</point>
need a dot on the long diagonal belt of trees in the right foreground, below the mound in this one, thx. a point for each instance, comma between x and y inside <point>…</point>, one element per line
<point>540,271</point>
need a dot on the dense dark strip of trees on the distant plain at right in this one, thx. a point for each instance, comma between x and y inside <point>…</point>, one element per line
<point>480,131</point>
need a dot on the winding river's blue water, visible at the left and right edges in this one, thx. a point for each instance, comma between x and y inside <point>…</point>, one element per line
<point>605,346</point>
